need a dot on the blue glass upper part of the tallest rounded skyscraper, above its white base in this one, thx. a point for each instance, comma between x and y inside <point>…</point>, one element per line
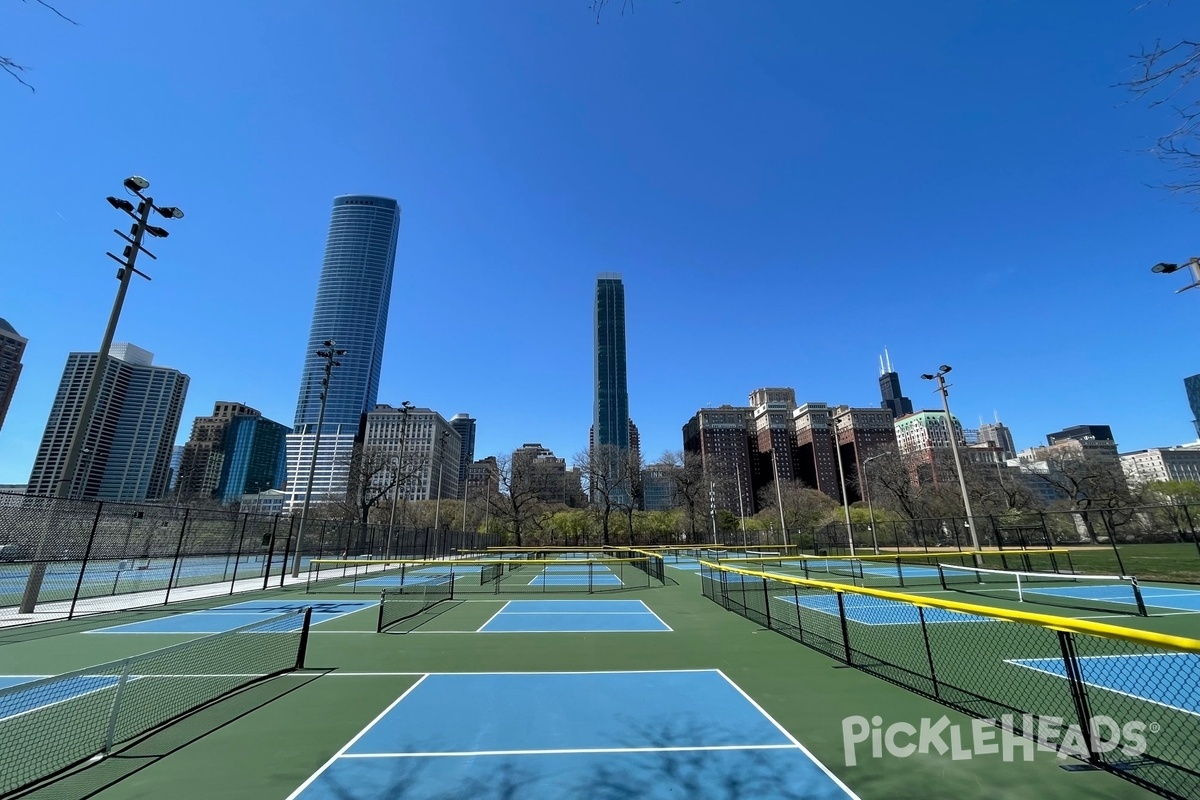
<point>352,310</point>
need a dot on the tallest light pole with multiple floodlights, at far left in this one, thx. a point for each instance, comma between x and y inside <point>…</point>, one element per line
<point>141,216</point>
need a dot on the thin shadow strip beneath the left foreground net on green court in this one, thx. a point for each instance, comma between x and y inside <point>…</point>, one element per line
<point>89,780</point>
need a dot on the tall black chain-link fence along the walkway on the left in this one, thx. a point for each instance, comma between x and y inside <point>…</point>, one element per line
<point>80,557</point>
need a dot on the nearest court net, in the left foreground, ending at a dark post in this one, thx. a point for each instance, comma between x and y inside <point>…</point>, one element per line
<point>52,725</point>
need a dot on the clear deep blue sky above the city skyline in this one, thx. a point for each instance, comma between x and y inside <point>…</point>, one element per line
<point>788,189</point>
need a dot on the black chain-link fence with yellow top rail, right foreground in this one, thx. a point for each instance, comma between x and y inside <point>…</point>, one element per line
<point>1124,701</point>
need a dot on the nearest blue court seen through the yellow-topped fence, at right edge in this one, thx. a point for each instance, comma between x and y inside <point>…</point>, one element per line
<point>1155,678</point>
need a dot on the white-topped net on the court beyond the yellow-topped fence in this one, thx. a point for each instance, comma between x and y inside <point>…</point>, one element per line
<point>1112,593</point>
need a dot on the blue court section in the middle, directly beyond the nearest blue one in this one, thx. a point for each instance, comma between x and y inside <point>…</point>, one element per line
<point>574,617</point>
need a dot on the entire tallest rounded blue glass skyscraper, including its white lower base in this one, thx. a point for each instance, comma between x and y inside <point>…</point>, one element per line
<point>352,310</point>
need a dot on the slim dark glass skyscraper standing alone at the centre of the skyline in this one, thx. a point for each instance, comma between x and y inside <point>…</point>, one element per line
<point>610,417</point>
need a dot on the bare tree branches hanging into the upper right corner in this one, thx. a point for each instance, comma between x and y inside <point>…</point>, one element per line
<point>1167,76</point>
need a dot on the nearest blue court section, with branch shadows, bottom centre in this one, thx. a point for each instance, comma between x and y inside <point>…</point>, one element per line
<point>554,736</point>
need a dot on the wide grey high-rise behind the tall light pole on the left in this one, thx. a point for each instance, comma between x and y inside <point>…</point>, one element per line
<point>129,446</point>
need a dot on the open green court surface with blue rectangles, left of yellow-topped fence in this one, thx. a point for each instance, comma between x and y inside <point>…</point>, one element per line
<point>271,739</point>
